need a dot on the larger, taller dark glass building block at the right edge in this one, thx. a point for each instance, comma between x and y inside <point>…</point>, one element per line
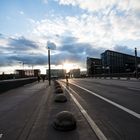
<point>116,62</point>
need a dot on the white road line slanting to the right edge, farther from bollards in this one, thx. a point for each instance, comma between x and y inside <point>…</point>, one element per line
<point>137,115</point>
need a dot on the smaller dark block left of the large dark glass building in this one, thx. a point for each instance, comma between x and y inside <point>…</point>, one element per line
<point>94,66</point>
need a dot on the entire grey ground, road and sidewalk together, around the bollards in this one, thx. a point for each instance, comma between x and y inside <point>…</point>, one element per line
<point>104,110</point>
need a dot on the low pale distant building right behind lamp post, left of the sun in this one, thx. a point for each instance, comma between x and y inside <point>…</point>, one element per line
<point>57,73</point>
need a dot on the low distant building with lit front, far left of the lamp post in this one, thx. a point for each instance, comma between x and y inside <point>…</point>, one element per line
<point>28,72</point>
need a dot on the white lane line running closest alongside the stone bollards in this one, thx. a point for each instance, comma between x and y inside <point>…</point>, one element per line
<point>94,127</point>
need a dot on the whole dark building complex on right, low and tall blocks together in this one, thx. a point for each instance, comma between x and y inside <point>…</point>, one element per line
<point>113,62</point>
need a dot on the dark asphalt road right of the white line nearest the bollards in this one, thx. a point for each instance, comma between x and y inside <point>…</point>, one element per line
<point>116,111</point>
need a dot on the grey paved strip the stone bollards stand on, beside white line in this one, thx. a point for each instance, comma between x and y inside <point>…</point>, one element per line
<point>43,129</point>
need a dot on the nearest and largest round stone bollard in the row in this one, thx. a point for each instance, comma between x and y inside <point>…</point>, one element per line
<point>64,121</point>
